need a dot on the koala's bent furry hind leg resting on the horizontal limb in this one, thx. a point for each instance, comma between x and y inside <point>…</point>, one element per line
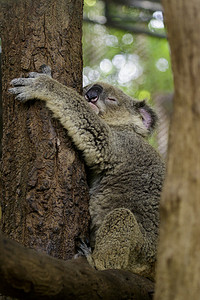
<point>118,238</point>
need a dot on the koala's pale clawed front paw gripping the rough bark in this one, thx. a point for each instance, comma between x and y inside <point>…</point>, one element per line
<point>29,88</point>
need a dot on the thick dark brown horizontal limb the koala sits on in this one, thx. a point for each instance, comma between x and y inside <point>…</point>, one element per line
<point>27,274</point>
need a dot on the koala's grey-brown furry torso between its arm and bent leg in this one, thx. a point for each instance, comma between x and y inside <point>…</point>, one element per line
<point>134,181</point>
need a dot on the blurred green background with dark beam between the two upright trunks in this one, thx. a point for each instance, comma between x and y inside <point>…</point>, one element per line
<point>124,44</point>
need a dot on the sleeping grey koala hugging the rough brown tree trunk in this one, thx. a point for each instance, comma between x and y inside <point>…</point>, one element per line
<point>125,173</point>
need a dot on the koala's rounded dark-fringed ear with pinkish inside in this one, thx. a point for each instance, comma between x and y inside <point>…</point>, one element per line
<point>149,117</point>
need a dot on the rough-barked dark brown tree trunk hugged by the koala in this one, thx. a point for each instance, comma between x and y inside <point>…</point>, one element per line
<point>44,192</point>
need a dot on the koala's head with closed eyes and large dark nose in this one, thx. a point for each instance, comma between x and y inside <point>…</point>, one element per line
<point>119,109</point>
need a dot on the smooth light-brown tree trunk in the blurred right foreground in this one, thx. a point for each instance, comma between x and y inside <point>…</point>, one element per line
<point>178,269</point>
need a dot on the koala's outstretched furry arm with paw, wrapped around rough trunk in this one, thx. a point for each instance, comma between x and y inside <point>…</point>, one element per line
<point>88,132</point>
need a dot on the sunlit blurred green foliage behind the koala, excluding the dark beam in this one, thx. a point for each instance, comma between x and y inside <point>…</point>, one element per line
<point>139,64</point>
